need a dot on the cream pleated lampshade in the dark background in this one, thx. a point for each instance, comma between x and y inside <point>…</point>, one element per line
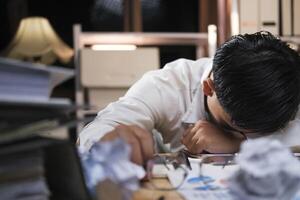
<point>36,41</point>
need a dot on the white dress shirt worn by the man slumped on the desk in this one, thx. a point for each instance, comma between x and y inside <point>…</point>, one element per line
<point>166,100</point>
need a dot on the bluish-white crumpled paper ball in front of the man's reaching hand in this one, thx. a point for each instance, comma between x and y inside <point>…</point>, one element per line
<point>111,160</point>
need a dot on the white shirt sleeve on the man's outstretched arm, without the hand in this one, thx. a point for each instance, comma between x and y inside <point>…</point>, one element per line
<point>142,106</point>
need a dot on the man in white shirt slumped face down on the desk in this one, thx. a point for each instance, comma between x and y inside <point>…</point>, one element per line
<point>250,89</point>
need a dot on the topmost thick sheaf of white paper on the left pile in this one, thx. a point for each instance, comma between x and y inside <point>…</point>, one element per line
<point>29,81</point>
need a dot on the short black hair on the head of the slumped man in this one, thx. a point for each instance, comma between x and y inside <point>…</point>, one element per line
<point>257,81</point>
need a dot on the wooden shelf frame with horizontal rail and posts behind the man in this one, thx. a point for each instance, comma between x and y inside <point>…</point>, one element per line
<point>82,39</point>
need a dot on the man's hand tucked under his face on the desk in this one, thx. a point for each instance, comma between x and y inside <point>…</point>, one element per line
<point>206,136</point>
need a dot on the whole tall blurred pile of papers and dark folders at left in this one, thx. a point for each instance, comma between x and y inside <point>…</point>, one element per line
<point>38,160</point>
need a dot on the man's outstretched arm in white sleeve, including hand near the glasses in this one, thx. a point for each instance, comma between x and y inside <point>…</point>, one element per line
<point>131,118</point>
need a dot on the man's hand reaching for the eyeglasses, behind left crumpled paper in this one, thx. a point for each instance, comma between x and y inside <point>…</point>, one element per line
<point>140,140</point>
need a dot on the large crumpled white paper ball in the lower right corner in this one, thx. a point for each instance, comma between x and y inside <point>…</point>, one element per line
<point>268,170</point>
